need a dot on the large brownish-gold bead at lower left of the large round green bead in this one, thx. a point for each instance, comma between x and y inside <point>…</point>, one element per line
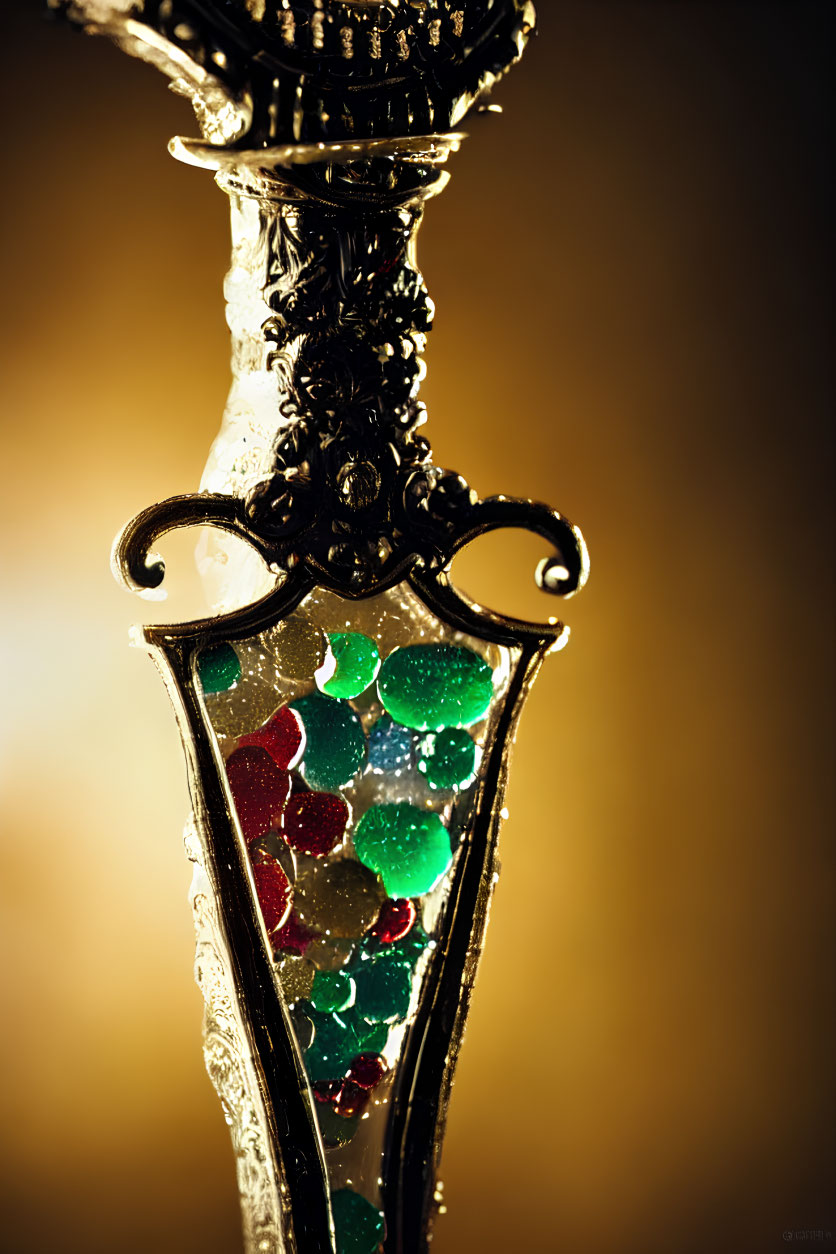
<point>340,898</point>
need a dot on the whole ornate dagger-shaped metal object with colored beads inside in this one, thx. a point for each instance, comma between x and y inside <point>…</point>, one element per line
<point>349,730</point>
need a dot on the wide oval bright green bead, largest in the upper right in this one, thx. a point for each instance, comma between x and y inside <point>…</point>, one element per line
<point>436,687</point>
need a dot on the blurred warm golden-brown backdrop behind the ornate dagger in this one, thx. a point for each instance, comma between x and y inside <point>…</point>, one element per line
<point>632,277</point>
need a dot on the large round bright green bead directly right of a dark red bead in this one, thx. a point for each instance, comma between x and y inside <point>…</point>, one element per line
<point>410,848</point>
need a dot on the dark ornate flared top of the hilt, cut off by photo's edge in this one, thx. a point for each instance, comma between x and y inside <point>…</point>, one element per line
<point>266,73</point>
